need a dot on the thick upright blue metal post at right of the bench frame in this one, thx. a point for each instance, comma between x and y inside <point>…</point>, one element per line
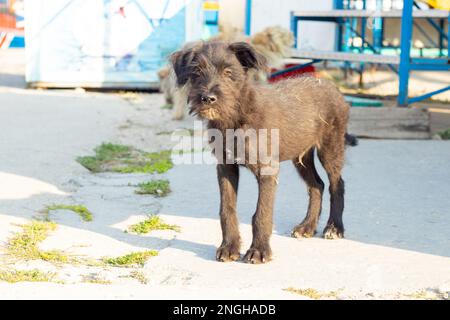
<point>405,47</point>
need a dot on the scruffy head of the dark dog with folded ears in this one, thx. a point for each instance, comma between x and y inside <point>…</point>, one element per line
<point>216,72</point>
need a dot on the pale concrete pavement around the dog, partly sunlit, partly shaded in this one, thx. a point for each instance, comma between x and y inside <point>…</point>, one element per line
<point>397,212</point>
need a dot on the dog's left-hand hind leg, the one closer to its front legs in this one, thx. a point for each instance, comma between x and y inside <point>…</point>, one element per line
<point>307,171</point>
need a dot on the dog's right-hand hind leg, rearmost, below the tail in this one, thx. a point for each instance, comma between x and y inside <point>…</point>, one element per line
<point>331,155</point>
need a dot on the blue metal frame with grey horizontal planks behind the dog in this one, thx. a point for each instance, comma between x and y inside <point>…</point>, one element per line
<point>403,64</point>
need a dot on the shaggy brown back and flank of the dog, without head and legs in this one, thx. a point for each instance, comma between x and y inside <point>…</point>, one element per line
<point>304,109</point>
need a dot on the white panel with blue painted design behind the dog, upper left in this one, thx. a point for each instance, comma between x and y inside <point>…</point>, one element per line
<point>105,43</point>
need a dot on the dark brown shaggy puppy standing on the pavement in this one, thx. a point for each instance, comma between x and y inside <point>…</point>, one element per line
<point>309,113</point>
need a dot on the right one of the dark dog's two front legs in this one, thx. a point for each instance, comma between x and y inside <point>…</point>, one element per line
<point>262,221</point>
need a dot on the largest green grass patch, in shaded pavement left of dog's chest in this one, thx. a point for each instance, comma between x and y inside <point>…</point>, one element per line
<point>125,159</point>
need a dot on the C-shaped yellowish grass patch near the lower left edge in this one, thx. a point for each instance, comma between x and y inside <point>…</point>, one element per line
<point>25,245</point>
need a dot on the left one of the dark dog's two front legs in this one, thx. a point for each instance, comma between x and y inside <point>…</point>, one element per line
<point>228,175</point>
